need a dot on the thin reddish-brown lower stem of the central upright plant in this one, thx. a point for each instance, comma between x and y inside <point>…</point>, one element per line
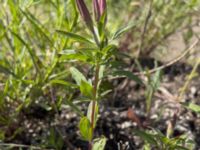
<point>96,81</point>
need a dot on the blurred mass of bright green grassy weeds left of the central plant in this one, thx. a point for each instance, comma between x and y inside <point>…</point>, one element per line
<point>29,61</point>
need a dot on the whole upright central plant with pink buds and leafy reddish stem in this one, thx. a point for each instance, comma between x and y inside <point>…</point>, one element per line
<point>97,52</point>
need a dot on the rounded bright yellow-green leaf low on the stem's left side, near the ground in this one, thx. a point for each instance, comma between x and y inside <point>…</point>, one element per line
<point>85,129</point>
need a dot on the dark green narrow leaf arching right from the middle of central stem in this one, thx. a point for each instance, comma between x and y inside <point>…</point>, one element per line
<point>128,74</point>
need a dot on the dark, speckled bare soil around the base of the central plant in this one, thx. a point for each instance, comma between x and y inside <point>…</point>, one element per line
<point>113,122</point>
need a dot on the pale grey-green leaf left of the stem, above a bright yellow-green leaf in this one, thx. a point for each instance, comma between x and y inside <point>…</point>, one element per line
<point>77,75</point>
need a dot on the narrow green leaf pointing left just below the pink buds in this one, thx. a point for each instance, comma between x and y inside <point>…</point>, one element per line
<point>74,36</point>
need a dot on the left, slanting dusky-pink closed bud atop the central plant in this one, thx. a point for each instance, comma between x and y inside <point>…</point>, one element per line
<point>84,12</point>
